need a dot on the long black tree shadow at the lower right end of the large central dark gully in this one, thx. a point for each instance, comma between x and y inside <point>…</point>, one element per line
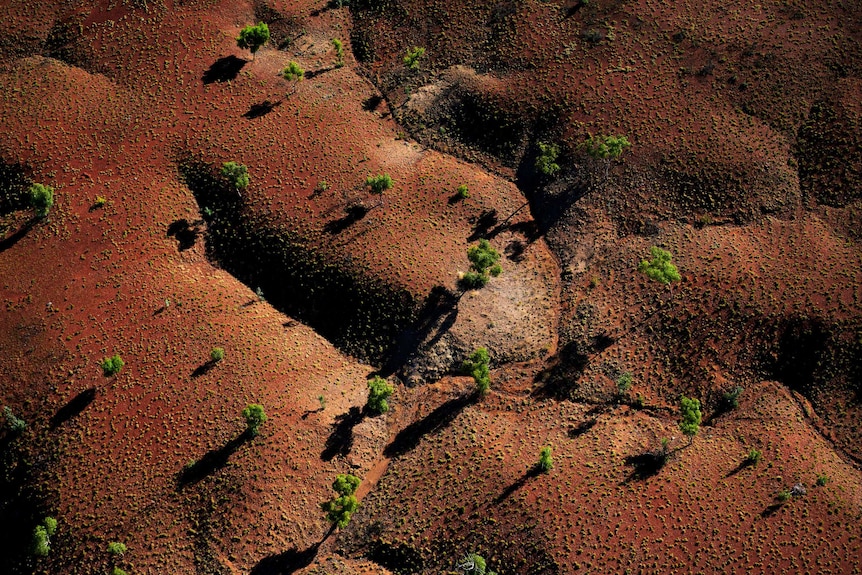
<point>438,315</point>
